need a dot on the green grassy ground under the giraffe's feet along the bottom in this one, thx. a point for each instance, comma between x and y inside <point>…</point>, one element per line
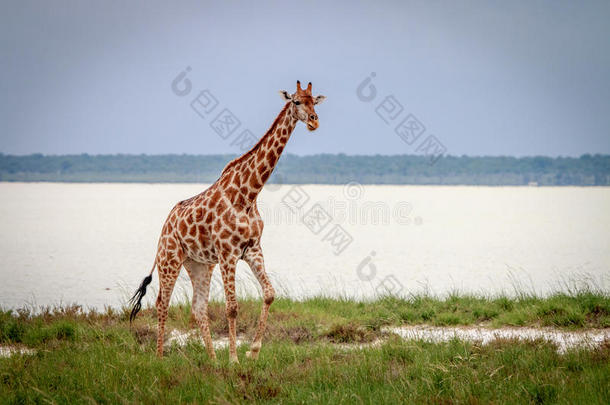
<point>96,357</point>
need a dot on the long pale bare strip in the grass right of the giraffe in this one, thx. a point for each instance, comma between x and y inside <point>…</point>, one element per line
<point>563,339</point>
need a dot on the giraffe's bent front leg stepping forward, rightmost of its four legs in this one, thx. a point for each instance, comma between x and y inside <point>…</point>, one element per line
<point>254,258</point>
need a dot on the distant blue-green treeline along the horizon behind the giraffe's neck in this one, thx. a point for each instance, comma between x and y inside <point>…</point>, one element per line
<point>588,170</point>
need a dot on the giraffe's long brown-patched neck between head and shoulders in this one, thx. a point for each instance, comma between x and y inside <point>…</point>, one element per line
<point>250,172</point>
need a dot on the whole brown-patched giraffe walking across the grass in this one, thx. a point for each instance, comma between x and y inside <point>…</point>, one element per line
<point>222,225</point>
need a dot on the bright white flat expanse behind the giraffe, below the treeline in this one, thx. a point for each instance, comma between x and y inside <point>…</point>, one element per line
<point>92,244</point>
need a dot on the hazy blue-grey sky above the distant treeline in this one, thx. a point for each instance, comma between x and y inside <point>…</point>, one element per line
<point>485,78</point>
